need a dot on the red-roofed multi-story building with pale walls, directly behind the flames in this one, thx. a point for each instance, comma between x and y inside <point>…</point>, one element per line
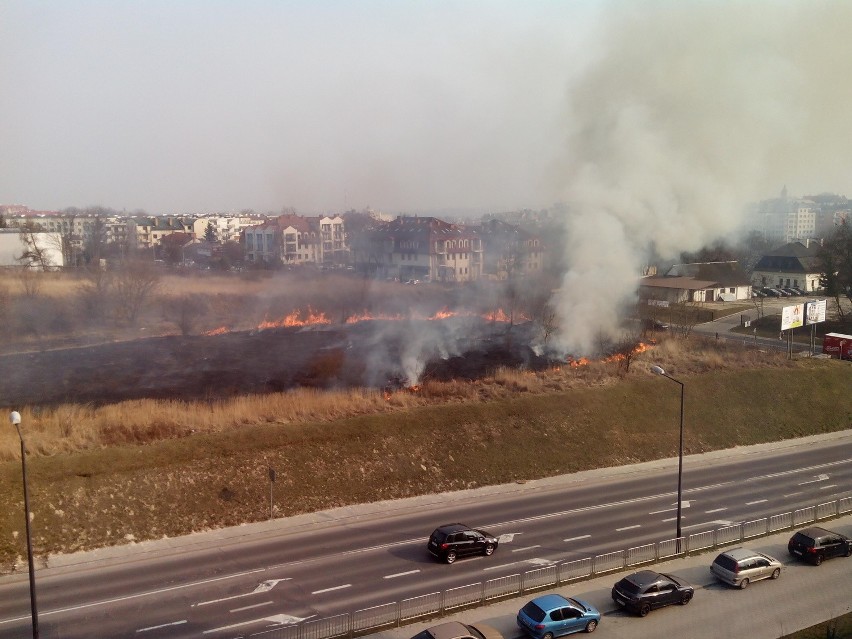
<point>421,248</point>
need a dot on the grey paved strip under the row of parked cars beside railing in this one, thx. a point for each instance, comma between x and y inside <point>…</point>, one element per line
<point>804,596</point>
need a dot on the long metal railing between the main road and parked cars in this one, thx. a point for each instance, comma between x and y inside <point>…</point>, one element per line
<point>436,604</point>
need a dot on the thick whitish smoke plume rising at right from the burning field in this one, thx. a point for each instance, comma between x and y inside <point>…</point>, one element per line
<point>689,111</point>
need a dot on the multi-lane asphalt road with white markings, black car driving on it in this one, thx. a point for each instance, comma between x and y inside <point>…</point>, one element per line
<point>245,582</point>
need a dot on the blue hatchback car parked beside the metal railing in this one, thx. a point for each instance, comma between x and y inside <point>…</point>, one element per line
<point>552,616</point>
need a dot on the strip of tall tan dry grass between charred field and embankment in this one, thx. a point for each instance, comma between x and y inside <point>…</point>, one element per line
<point>72,428</point>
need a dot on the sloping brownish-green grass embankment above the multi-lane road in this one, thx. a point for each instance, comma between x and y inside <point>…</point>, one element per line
<point>515,426</point>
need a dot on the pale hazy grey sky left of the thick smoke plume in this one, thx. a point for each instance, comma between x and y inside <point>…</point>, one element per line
<point>204,105</point>
